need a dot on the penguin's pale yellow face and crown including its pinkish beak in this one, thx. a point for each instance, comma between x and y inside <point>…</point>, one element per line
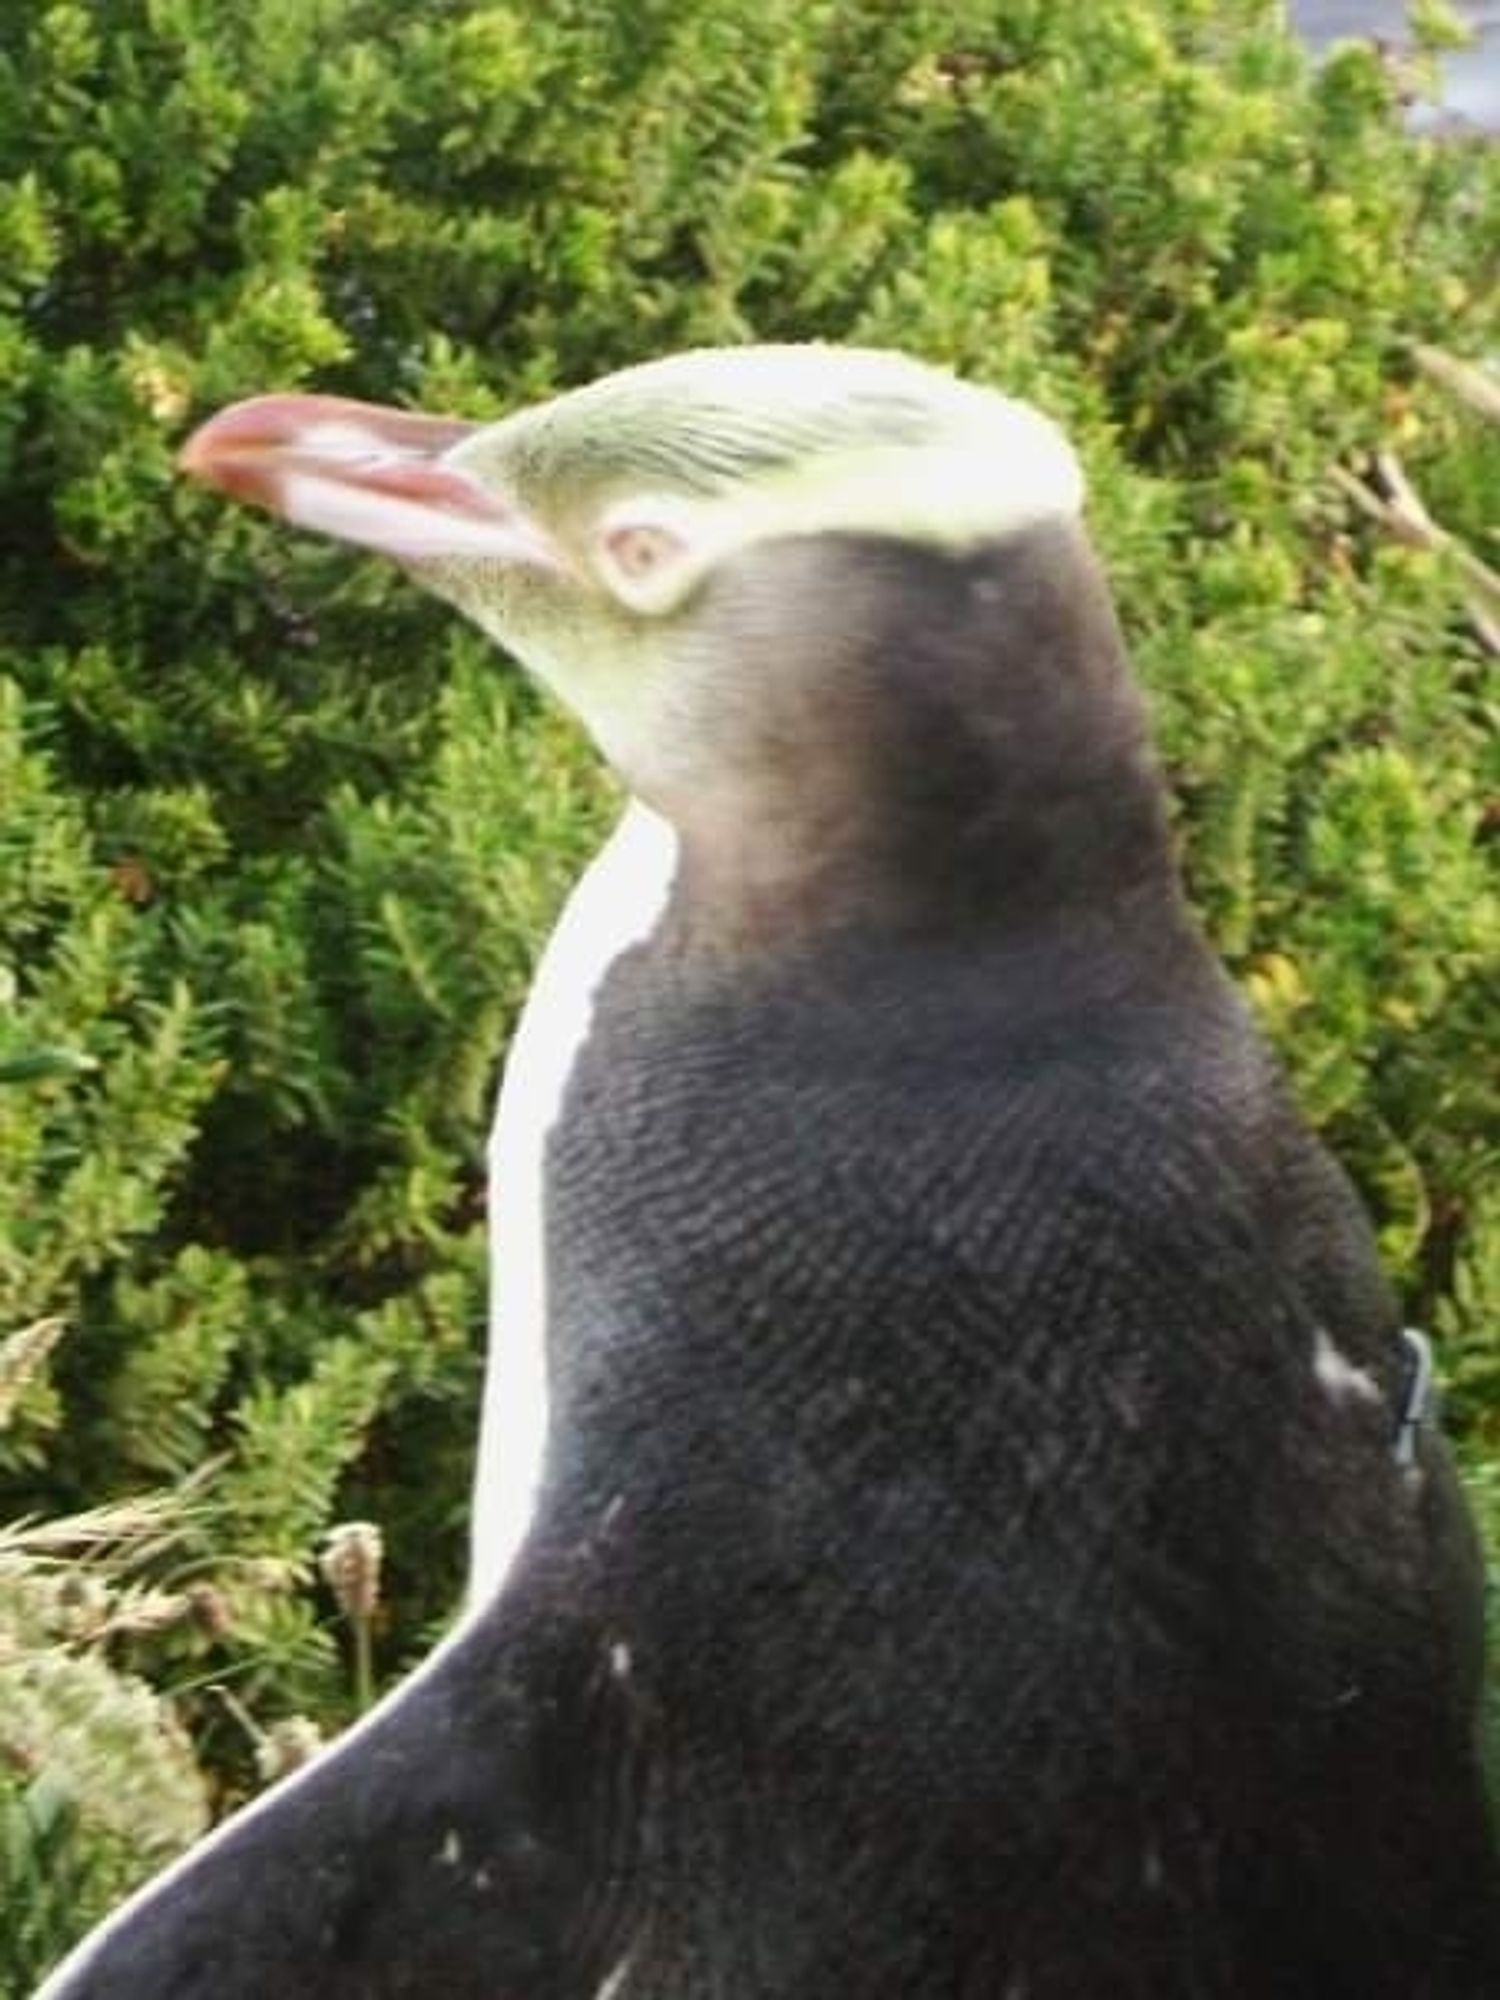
<point>641,545</point>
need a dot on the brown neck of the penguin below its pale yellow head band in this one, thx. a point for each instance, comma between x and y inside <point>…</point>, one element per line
<point>925,743</point>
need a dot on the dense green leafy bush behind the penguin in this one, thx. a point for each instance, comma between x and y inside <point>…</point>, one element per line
<point>279,837</point>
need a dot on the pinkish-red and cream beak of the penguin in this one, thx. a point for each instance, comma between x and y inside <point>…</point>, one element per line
<point>365,475</point>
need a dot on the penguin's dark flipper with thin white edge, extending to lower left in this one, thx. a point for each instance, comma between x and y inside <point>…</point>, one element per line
<point>447,1845</point>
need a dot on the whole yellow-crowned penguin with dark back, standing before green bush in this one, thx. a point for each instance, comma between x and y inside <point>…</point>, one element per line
<point>953,1517</point>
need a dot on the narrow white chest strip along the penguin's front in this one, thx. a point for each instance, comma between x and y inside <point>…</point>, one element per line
<point>617,905</point>
